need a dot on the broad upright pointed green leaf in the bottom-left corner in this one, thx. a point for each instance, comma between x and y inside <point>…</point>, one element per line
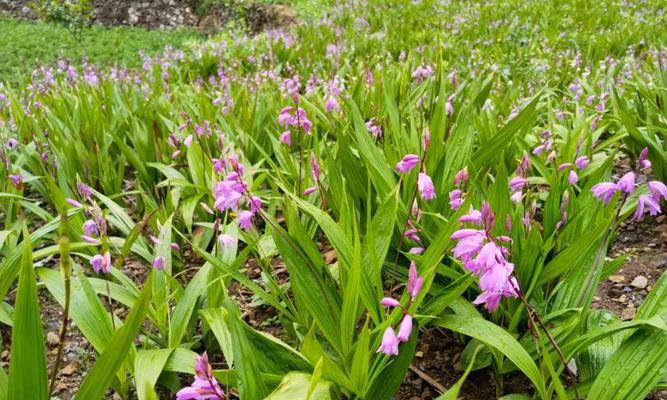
<point>27,368</point>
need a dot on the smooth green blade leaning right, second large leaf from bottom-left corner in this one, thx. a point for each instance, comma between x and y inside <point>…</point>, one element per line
<point>100,376</point>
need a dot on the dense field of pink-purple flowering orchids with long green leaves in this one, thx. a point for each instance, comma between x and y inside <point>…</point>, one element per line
<point>359,179</point>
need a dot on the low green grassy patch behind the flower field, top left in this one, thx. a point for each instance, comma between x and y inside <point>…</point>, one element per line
<point>29,44</point>
